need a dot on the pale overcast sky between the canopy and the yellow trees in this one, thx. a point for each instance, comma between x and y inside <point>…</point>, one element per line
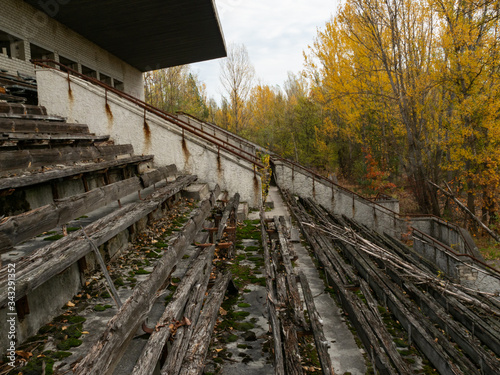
<point>275,33</point>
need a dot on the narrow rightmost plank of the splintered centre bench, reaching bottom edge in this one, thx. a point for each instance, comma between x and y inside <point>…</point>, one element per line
<point>317,327</point>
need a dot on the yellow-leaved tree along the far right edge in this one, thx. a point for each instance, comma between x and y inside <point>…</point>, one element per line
<point>469,70</point>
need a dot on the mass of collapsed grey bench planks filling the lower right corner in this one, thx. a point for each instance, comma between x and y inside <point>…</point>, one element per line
<point>381,285</point>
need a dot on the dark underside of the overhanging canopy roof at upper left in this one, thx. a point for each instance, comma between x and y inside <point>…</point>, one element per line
<point>147,34</point>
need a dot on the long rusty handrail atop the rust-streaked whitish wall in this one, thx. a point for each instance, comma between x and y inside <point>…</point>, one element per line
<point>158,112</point>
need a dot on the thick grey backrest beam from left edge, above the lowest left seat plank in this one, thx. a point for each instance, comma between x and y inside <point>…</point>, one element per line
<point>27,225</point>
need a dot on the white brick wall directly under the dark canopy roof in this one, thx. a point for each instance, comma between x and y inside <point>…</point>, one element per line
<point>32,26</point>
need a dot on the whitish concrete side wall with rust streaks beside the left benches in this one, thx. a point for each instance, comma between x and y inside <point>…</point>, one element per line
<point>148,134</point>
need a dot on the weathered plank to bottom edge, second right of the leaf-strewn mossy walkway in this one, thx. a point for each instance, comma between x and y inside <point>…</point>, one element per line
<point>199,270</point>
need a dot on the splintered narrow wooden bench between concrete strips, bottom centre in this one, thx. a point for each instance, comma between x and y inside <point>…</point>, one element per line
<point>286,311</point>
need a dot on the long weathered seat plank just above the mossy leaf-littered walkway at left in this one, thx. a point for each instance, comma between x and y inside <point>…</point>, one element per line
<point>45,263</point>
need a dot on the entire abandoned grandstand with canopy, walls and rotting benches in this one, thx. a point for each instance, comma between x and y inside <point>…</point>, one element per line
<point>135,241</point>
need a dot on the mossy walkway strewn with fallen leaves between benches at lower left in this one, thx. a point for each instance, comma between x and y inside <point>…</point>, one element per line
<point>55,342</point>
